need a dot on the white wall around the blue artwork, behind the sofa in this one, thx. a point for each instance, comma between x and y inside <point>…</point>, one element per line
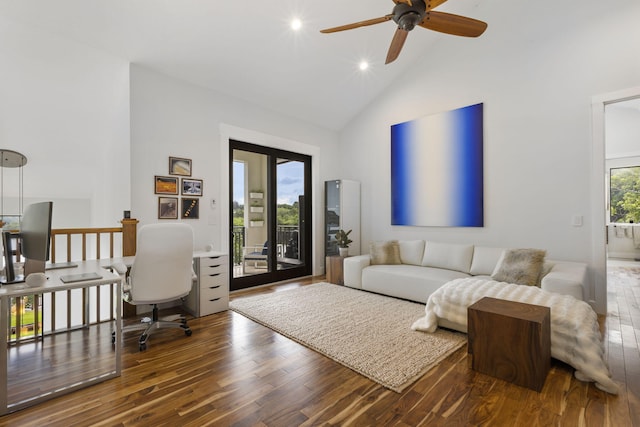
<point>536,87</point>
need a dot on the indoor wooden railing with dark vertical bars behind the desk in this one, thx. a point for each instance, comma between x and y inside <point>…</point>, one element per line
<point>50,313</point>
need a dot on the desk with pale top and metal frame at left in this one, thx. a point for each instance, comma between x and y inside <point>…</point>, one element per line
<point>47,389</point>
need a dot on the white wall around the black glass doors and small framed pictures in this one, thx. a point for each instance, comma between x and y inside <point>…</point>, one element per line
<point>174,118</point>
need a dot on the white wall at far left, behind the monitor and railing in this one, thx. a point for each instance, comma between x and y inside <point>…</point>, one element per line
<point>66,108</point>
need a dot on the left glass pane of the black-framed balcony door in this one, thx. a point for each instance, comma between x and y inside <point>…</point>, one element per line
<point>250,254</point>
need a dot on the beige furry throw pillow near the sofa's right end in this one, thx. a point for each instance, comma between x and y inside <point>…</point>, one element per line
<point>520,266</point>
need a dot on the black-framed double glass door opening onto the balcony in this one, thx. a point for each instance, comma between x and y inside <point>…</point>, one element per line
<point>270,236</point>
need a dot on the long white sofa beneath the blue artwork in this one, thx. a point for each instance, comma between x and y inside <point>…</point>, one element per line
<point>425,266</point>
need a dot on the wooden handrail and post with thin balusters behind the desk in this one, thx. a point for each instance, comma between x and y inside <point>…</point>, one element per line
<point>91,240</point>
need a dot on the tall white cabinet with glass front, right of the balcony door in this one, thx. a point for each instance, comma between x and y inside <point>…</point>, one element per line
<point>342,211</point>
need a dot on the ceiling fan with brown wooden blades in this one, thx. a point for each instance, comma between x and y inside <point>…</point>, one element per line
<point>409,13</point>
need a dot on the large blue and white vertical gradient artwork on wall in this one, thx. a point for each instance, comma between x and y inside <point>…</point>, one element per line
<point>437,170</point>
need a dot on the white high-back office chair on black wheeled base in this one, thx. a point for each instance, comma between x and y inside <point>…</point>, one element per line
<point>162,271</point>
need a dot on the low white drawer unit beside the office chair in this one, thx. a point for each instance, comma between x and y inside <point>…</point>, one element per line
<point>210,291</point>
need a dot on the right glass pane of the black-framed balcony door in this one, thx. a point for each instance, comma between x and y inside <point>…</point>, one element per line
<point>290,216</point>
